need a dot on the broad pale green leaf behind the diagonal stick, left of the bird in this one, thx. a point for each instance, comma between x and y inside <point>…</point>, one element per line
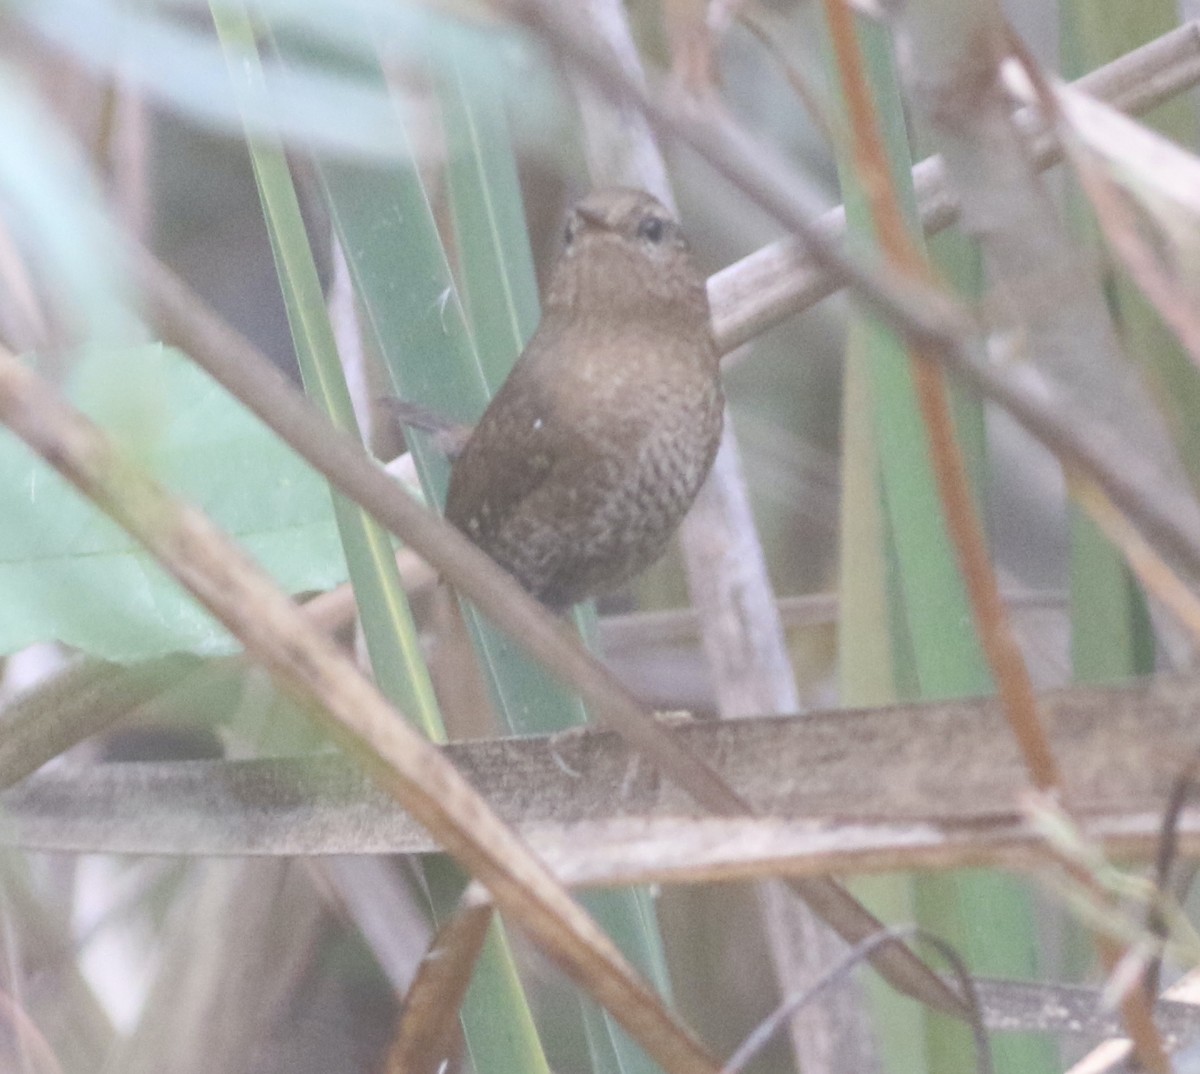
<point>69,574</point>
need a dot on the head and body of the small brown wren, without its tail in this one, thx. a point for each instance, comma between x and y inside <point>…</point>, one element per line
<point>596,447</point>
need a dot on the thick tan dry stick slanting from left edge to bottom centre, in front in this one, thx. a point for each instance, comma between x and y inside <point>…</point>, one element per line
<point>397,757</point>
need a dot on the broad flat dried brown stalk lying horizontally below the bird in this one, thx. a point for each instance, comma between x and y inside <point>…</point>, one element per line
<point>836,790</point>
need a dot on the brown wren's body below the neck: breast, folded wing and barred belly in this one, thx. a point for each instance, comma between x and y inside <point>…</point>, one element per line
<point>577,482</point>
